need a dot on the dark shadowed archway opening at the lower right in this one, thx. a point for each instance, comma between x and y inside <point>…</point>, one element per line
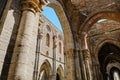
<point>108,54</point>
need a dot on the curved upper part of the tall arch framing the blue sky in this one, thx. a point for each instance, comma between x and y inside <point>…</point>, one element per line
<point>64,23</point>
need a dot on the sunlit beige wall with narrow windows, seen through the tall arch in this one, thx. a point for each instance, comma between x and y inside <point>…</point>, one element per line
<point>47,52</point>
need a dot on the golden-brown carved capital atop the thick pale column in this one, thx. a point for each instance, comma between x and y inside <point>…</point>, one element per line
<point>31,5</point>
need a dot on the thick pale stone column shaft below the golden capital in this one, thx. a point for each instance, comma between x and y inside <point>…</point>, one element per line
<point>23,48</point>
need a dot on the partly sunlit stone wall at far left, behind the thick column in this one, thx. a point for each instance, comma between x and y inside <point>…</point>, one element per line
<point>8,34</point>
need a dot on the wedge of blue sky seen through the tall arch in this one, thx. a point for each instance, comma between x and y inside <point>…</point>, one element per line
<point>50,14</point>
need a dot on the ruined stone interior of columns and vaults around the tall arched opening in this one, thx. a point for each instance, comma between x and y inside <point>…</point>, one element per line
<point>91,49</point>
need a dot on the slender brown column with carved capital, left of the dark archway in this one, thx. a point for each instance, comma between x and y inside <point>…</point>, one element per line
<point>86,56</point>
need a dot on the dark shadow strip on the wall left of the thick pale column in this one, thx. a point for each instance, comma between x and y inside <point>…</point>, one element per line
<point>15,7</point>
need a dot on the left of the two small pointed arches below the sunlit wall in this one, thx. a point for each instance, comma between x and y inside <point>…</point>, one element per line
<point>46,67</point>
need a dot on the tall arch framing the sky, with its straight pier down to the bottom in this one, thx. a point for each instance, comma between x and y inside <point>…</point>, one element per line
<point>68,36</point>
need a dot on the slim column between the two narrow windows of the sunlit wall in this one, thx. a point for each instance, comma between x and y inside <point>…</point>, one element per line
<point>54,57</point>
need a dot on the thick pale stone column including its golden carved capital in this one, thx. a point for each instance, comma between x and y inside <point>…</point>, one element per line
<point>24,52</point>
